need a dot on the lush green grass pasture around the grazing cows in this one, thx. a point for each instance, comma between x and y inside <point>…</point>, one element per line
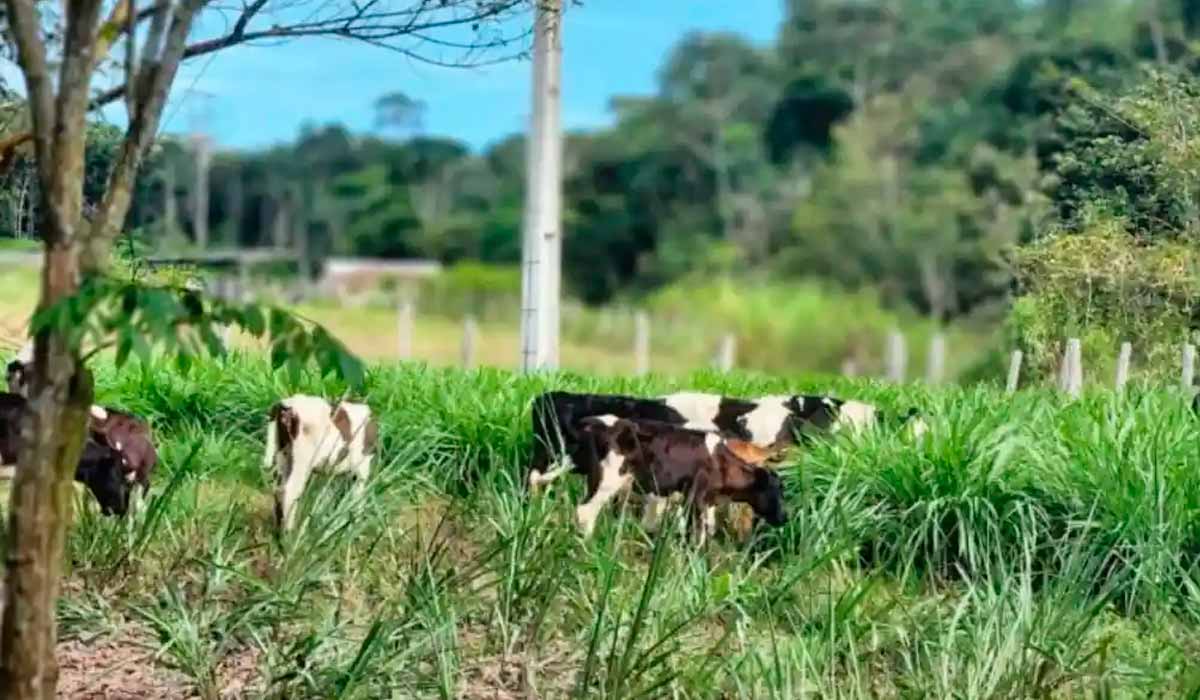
<point>1028,548</point>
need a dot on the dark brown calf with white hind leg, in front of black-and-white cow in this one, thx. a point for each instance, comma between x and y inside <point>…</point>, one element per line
<point>663,459</point>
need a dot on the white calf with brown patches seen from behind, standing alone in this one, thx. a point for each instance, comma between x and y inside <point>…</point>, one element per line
<point>305,434</point>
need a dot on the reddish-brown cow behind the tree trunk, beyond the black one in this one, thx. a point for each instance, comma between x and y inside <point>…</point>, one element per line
<point>119,430</point>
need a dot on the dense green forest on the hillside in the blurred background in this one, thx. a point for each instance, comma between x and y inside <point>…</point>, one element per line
<point>932,152</point>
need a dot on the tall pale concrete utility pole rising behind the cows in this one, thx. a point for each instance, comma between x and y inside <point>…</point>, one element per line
<point>542,246</point>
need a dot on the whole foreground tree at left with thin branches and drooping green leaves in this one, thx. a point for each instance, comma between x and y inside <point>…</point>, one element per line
<point>81,303</point>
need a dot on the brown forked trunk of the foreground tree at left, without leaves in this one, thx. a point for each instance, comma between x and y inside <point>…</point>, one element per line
<point>52,434</point>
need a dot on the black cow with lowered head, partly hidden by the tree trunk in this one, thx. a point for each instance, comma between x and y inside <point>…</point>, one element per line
<point>101,469</point>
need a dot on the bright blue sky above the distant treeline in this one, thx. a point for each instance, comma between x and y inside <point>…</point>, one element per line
<point>255,97</point>
